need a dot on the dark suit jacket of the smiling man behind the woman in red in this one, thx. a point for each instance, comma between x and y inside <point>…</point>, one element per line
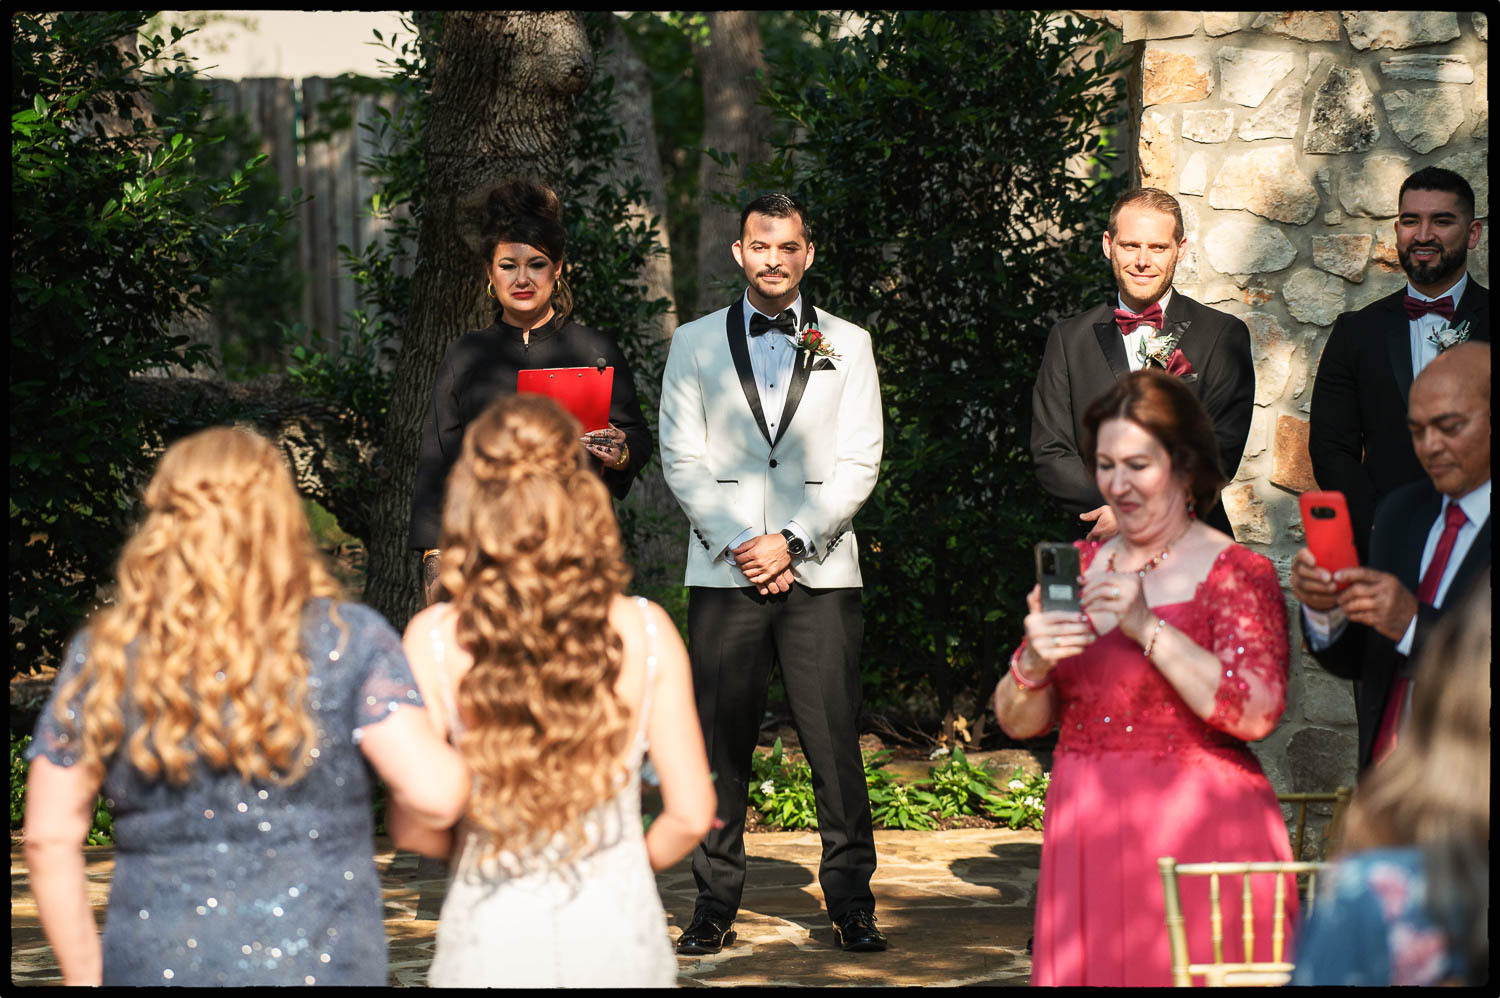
<point>1084,359</point>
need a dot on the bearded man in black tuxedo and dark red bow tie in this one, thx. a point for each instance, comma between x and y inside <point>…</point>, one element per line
<point>1358,436</point>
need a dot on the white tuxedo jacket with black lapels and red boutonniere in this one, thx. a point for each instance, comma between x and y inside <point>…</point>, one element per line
<point>728,473</point>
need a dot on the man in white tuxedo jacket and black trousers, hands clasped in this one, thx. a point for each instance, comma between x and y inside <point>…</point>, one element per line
<point>772,434</point>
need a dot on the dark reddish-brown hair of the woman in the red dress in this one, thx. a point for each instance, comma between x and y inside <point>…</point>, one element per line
<point>1166,409</point>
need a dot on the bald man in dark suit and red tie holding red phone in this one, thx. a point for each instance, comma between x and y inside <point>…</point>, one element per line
<point>1432,540</point>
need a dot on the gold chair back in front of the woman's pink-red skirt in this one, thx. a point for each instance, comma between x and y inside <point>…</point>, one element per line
<point>1247,973</point>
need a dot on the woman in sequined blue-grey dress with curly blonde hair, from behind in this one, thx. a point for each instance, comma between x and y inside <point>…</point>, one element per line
<point>229,702</point>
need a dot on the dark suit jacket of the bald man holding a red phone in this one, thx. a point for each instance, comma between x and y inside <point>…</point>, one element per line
<point>1403,522</point>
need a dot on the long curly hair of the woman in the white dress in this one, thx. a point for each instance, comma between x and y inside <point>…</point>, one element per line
<point>533,559</point>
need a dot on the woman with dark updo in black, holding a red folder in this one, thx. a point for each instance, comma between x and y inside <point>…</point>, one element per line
<point>523,247</point>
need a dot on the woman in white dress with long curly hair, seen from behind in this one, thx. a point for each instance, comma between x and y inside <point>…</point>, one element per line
<point>557,685</point>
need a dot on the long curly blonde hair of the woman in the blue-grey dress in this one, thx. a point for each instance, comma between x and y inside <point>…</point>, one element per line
<point>205,636</point>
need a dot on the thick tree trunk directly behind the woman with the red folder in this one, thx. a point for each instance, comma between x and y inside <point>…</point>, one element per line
<point>505,92</point>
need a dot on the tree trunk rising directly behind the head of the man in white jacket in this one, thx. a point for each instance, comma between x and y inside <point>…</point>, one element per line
<point>734,122</point>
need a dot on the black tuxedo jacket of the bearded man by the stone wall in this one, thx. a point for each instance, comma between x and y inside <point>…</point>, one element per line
<point>1358,437</point>
